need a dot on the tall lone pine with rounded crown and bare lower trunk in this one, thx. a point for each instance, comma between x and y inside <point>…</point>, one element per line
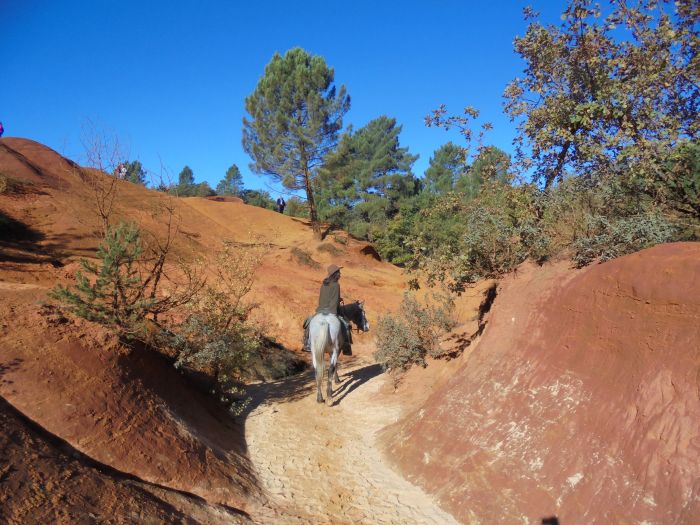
<point>295,116</point>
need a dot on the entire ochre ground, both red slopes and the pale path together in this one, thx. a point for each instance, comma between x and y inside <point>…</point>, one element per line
<point>575,396</point>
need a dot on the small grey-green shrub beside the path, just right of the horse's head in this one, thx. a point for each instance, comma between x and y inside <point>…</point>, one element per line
<point>405,339</point>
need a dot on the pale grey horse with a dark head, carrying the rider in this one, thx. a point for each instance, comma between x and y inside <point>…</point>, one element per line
<point>325,335</point>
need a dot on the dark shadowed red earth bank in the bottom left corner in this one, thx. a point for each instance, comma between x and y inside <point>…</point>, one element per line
<point>45,480</point>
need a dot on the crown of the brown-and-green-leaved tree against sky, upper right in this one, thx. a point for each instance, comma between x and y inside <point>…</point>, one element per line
<point>598,88</point>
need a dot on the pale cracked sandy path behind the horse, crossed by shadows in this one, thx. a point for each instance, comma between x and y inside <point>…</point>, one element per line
<point>320,464</point>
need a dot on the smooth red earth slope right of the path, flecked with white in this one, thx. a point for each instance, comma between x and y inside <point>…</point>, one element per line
<point>580,401</point>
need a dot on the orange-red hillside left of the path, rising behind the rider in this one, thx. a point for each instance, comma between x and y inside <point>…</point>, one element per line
<point>128,410</point>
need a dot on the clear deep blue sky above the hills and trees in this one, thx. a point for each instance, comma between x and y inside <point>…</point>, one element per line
<point>169,78</point>
